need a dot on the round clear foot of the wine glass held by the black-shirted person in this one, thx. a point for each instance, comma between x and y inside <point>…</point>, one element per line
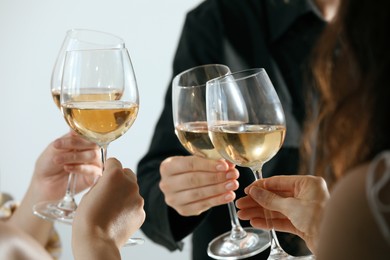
<point>224,247</point>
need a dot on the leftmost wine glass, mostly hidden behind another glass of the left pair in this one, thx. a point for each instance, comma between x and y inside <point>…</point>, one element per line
<point>75,39</point>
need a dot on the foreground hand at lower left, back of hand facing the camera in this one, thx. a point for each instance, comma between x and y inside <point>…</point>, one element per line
<point>108,214</point>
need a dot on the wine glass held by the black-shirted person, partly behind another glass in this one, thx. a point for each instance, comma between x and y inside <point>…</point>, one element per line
<point>190,121</point>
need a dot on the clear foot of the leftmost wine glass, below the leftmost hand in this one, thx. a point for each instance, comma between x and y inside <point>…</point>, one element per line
<point>52,211</point>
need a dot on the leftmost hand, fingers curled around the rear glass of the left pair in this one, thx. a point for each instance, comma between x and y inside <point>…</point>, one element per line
<point>70,153</point>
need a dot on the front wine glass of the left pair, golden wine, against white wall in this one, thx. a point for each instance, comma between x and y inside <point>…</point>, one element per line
<point>99,96</point>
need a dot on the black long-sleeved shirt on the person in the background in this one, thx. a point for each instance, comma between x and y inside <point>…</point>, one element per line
<point>277,35</point>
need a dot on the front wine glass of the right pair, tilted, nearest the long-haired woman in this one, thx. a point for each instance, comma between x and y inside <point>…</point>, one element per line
<point>247,126</point>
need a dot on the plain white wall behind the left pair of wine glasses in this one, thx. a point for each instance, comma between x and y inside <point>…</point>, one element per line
<point>31,32</point>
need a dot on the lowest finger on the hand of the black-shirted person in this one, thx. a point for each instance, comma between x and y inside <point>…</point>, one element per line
<point>197,207</point>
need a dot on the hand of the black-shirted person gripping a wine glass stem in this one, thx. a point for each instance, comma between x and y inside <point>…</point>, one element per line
<point>192,185</point>
